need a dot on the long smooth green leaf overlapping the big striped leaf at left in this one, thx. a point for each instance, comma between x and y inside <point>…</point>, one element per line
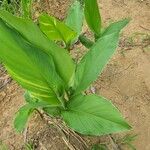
<point>30,31</point>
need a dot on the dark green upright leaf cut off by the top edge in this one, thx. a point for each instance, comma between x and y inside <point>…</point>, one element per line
<point>92,16</point>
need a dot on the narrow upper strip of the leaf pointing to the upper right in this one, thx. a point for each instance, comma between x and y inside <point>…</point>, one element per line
<point>115,27</point>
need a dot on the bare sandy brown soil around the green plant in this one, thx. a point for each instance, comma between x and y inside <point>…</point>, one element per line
<point>126,81</point>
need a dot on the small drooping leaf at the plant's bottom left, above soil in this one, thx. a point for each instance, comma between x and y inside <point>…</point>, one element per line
<point>22,117</point>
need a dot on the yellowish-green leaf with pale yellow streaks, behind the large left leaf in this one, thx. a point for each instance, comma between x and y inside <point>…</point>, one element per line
<point>55,29</point>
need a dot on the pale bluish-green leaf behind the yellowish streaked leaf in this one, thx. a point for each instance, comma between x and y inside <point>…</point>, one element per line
<point>75,18</point>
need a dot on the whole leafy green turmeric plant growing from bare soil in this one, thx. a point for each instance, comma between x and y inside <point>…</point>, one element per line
<point>53,82</point>
